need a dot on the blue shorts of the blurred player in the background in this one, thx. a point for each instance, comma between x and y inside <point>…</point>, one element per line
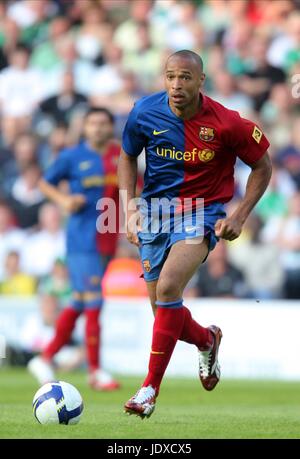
<point>85,272</point>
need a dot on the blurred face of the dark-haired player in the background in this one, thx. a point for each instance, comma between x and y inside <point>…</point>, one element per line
<point>98,128</point>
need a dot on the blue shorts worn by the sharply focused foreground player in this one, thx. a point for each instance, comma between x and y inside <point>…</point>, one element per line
<point>155,247</point>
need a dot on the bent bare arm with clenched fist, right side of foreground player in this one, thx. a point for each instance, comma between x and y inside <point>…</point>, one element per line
<point>230,228</point>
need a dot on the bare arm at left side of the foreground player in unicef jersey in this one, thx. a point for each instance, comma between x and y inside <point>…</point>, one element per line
<point>127,176</point>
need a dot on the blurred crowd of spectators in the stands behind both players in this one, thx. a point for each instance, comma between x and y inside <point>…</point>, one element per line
<point>58,57</point>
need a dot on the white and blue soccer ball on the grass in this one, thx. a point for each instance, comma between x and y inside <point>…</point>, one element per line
<point>57,402</point>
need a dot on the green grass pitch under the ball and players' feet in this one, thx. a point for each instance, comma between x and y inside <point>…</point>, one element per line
<point>235,409</point>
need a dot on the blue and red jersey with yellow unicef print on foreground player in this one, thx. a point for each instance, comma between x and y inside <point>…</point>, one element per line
<point>191,158</point>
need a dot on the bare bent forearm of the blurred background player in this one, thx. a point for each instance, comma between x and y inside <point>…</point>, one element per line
<point>70,203</point>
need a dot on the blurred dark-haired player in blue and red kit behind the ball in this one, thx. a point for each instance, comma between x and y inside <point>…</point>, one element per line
<point>91,171</point>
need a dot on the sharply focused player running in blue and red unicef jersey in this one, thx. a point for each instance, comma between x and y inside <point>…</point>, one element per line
<point>191,144</point>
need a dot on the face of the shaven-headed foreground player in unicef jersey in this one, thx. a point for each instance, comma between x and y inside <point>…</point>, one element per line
<point>183,81</point>
